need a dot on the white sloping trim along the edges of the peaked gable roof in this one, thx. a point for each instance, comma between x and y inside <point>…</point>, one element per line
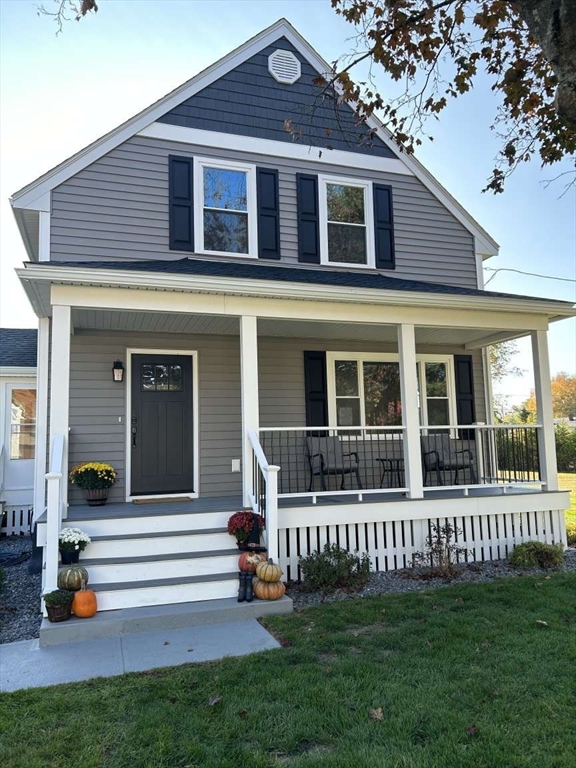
<point>34,194</point>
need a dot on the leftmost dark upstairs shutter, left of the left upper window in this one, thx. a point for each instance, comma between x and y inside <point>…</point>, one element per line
<point>181,191</point>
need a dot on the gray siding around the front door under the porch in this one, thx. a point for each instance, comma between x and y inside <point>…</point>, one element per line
<point>98,405</point>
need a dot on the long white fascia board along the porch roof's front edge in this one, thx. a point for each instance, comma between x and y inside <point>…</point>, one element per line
<point>284,290</point>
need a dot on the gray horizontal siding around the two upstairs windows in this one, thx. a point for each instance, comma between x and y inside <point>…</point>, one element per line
<point>117,209</point>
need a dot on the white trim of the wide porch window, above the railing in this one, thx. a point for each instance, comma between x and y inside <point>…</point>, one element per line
<point>389,357</point>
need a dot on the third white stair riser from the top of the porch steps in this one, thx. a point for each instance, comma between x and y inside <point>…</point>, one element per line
<point>143,568</point>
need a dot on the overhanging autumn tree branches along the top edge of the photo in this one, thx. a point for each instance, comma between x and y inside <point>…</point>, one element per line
<point>437,48</point>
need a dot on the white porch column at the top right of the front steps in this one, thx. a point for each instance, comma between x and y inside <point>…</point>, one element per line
<point>249,392</point>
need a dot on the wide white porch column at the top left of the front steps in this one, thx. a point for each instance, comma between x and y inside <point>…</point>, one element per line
<point>60,388</point>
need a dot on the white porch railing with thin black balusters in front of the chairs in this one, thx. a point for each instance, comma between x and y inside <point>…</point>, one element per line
<point>360,461</point>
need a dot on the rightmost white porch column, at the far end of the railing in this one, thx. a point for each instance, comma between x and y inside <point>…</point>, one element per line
<point>545,414</point>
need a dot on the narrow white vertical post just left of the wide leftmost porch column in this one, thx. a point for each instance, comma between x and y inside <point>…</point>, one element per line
<point>40,464</point>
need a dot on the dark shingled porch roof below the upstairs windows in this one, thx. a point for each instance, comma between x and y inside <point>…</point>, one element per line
<point>258,271</point>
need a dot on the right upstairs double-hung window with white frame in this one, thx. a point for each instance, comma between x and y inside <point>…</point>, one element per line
<point>346,222</point>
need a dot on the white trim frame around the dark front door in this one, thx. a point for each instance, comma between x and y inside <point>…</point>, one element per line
<point>194,494</point>
